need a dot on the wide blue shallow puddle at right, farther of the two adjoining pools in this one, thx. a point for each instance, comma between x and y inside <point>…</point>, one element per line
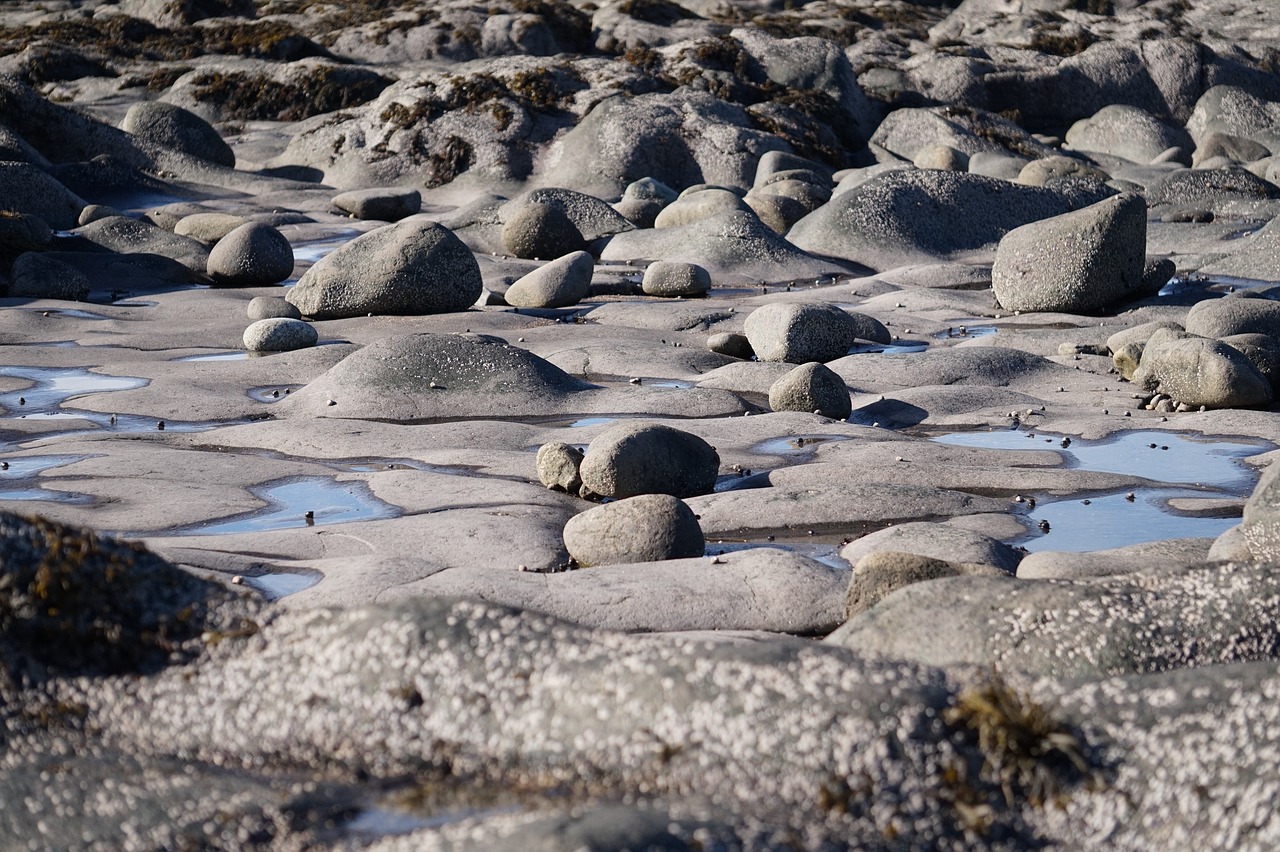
<point>1165,457</point>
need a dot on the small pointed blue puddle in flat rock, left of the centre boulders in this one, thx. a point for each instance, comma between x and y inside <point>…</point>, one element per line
<point>303,502</point>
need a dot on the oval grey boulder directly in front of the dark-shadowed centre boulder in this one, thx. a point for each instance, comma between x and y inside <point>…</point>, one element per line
<point>648,528</point>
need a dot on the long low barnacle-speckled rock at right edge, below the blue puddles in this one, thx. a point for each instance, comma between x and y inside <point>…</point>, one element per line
<point>1150,621</point>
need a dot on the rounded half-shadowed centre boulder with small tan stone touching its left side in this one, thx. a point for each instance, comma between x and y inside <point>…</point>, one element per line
<point>646,459</point>
